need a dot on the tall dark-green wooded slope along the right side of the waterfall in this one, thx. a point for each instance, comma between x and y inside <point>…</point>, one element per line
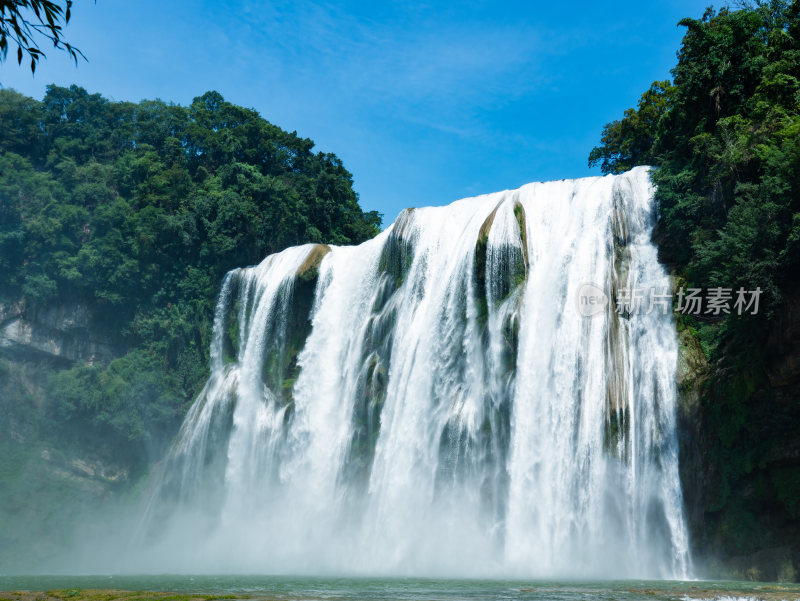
<point>724,136</point>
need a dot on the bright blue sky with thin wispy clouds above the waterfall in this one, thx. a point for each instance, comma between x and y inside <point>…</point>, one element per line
<point>425,102</point>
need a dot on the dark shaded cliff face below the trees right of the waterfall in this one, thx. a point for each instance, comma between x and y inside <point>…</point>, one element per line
<point>739,427</point>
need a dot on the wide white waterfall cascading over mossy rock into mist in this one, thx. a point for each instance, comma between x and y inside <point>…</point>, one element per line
<point>433,402</point>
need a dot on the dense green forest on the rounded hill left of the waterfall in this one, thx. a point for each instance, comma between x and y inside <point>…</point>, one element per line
<point>136,211</point>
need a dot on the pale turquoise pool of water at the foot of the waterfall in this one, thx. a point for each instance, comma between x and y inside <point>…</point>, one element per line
<point>302,588</point>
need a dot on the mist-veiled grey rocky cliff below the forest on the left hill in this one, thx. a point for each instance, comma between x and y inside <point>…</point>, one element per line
<point>48,481</point>
